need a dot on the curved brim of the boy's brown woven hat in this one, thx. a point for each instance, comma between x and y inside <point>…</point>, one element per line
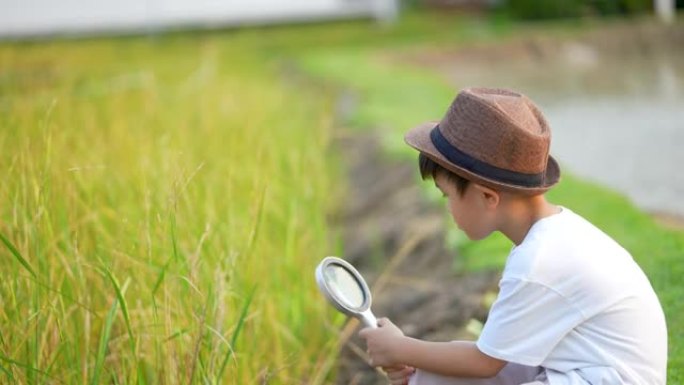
<point>419,138</point>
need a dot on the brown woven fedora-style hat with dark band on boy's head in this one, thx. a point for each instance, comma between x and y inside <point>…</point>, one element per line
<point>494,137</point>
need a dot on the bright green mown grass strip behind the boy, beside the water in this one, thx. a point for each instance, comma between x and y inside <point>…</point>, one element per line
<point>395,97</point>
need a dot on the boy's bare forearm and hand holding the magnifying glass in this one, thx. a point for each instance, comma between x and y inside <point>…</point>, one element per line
<point>387,346</point>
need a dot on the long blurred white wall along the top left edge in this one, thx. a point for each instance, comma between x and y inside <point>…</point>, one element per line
<point>40,17</point>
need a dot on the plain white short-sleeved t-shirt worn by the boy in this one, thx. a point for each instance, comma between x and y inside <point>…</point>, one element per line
<point>574,302</point>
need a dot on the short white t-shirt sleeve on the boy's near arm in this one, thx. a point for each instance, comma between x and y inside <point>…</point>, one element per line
<point>526,322</point>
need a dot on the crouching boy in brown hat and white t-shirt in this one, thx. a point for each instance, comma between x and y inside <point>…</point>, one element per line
<point>573,307</point>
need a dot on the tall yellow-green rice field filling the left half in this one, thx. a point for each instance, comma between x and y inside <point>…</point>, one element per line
<point>162,209</point>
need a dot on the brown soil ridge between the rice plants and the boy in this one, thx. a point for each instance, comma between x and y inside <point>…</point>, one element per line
<point>395,238</point>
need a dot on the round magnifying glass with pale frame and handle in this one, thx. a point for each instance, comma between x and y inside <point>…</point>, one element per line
<point>345,289</point>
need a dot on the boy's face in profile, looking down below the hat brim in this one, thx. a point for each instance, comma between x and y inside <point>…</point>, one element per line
<point>472,211</point>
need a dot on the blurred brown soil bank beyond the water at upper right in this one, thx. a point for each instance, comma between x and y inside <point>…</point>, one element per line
<point>530,55</point>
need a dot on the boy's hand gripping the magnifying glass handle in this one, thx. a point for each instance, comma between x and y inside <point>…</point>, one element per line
<point>383,343</point>
